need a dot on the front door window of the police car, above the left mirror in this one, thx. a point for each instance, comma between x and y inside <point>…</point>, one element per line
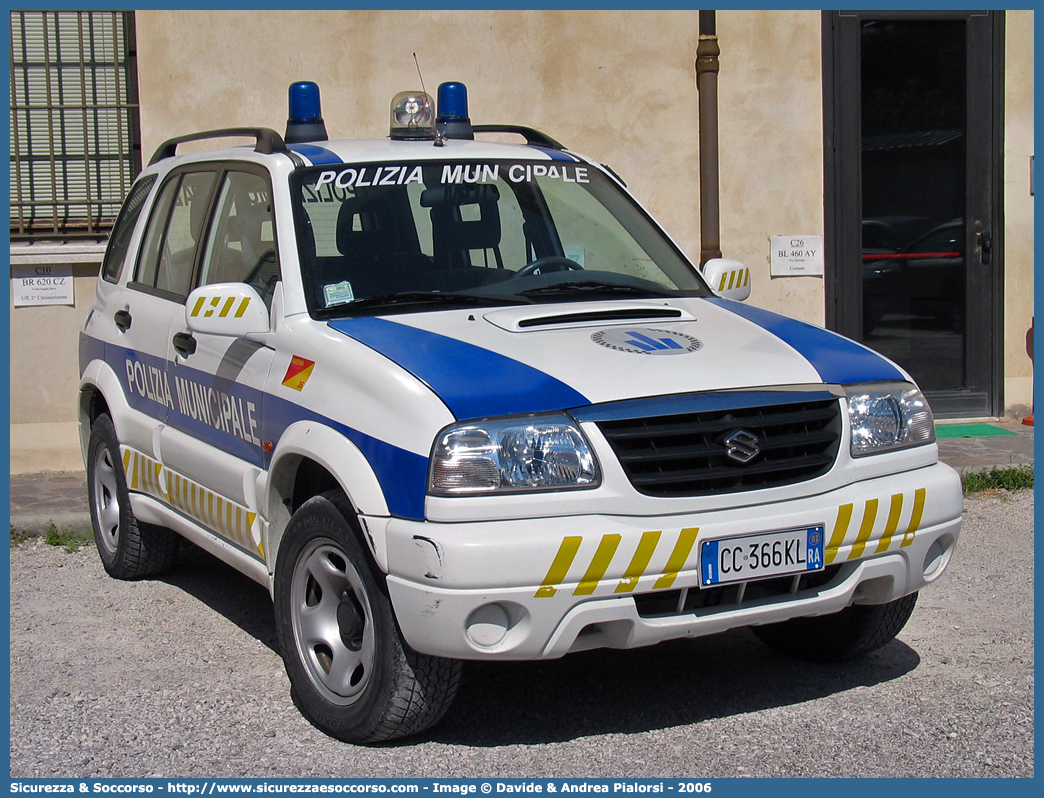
<point>242,247</point>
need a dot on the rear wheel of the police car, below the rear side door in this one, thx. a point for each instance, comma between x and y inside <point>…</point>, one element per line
<point>129,549</point>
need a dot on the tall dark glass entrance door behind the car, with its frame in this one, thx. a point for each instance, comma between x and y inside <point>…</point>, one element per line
<point>914,203</point>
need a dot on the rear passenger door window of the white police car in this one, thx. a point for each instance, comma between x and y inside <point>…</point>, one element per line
<point>176,227</point>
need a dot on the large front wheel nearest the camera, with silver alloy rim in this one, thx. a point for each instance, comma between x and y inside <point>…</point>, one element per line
<point>351,673</point>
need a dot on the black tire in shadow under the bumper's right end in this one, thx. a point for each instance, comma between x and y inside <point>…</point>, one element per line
<point>851,633</point>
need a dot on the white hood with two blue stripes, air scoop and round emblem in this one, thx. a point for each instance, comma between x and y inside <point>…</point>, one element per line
<point>548,358</point>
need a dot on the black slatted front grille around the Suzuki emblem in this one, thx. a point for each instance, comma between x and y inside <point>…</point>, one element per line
<point>685,455</point>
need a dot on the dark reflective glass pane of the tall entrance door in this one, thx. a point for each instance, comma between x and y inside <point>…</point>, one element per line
<point>913,103</point>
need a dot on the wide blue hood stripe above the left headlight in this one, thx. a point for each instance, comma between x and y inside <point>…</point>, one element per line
<point>473,383</point>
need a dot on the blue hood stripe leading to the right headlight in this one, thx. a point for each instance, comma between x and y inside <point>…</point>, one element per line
<point>838,360</point>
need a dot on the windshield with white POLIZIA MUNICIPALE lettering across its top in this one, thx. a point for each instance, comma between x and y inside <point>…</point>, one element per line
<point>477,233</point>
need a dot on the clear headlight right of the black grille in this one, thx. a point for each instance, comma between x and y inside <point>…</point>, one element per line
<point>889,416</point>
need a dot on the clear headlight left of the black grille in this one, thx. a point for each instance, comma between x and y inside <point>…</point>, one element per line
<point>537,454</point>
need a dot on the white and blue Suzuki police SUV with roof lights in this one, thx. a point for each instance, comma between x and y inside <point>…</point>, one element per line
<point>455,400</point>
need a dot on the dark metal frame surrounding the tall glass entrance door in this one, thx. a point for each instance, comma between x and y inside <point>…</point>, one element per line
<point>843,195</point>
